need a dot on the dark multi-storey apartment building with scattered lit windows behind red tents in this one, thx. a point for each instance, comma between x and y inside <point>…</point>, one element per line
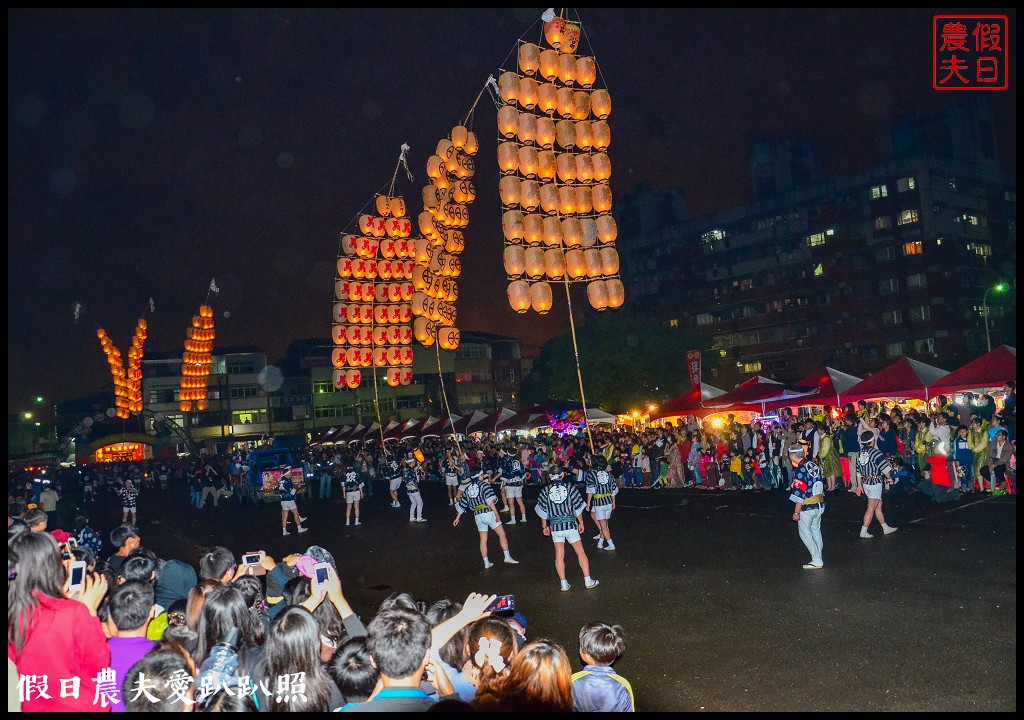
<point>854,272</point>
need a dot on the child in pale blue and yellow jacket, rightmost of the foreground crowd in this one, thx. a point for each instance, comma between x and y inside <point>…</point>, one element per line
<point>598,689</point>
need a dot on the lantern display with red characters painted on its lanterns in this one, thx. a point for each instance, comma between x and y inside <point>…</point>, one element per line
<point>373,293</point>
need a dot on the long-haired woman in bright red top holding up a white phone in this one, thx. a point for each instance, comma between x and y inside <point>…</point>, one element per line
<point>53,631</point>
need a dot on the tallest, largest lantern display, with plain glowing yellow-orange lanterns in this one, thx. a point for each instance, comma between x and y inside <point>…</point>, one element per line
<point>558,140</point>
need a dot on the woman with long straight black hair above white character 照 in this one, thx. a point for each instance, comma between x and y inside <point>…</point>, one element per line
<point>293,649</point>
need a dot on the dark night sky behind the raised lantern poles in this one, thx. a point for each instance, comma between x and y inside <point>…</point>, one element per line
<point>152,151</point>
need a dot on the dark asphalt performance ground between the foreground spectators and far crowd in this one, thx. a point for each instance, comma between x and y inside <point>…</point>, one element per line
<point>718,614</point>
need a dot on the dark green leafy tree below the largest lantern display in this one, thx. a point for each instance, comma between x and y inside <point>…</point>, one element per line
<point>626,363</point>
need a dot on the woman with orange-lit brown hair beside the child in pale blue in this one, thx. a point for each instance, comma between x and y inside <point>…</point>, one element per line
<point>540,681</point>
